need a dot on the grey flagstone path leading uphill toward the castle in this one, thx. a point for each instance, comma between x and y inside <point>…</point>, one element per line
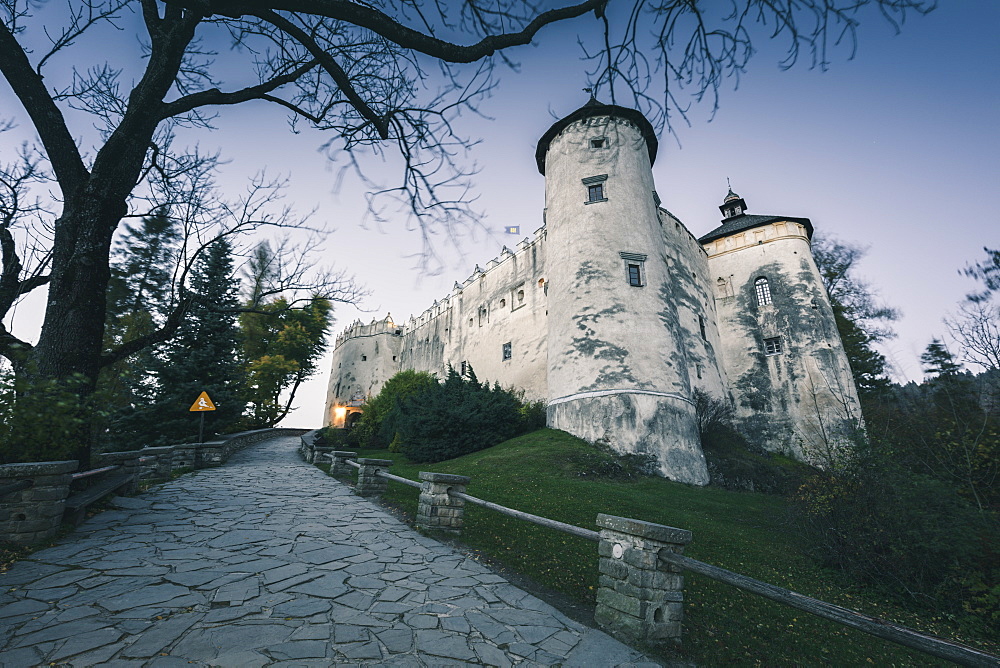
<point>266,561</point>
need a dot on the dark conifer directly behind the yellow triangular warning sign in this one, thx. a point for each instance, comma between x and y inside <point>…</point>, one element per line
<point>203,357</point>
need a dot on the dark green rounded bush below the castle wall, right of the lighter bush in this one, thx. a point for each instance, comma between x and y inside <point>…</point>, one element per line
<point>455,418</point>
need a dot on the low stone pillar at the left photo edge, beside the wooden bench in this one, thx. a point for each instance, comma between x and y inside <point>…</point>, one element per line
<point>34,514</point>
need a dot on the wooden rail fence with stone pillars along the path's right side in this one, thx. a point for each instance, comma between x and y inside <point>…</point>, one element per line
<point>667,543</point>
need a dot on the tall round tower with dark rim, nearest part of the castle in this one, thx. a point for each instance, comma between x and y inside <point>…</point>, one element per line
<point>617,370</point>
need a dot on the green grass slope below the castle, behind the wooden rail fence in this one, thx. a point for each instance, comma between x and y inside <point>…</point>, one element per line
<point>552,474</point>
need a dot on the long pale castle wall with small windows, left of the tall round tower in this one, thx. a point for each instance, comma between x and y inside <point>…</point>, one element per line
<point>503,303</point>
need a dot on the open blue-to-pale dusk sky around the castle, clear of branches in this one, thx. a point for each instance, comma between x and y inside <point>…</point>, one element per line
<point>896,150</point>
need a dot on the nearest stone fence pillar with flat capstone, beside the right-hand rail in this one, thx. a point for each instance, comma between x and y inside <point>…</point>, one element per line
<point>638,598</point>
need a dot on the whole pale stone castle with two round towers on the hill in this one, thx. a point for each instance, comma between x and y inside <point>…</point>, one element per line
<point>616,315</point>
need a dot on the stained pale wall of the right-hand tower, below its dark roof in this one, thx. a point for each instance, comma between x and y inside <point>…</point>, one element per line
<point>800,401</point>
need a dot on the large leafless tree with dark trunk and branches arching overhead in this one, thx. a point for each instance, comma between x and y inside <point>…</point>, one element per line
<point>380,77</point>
